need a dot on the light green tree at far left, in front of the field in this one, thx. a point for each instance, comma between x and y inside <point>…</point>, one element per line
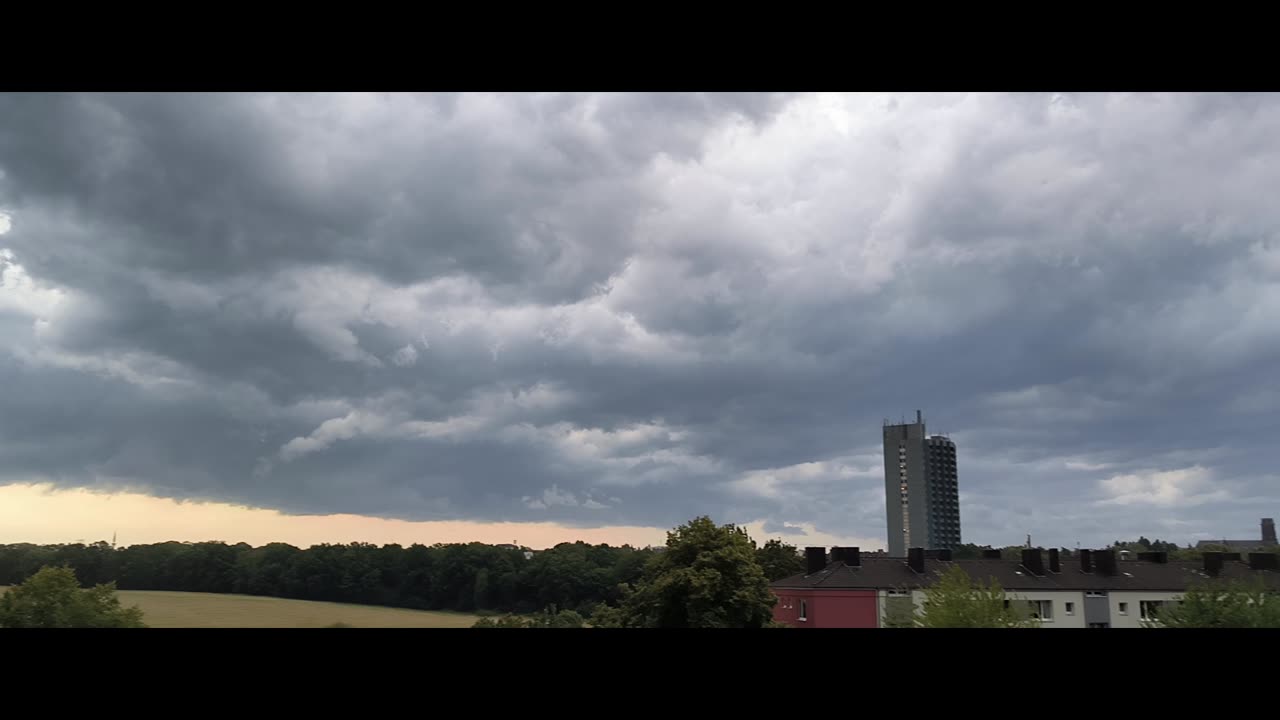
<point>53,599</point>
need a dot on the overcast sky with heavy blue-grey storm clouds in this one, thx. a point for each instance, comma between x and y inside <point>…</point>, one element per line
<point>619,312</point>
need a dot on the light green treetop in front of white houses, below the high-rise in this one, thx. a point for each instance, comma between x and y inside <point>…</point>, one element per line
<point>958,601</point>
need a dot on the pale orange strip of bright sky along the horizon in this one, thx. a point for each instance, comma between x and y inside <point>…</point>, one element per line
<point>42,514</point>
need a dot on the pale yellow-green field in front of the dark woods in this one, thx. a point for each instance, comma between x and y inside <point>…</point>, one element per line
<point>212,610</point>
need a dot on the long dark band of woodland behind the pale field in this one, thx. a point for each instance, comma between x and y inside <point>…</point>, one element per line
<point>461,577</point>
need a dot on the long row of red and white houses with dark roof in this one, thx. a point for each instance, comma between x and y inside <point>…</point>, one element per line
<point>1090,590</point>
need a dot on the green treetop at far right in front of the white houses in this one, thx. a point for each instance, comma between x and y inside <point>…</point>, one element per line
<point>1223,605</point>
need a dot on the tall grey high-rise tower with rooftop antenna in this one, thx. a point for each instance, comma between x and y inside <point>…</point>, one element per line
<point>922,498</point>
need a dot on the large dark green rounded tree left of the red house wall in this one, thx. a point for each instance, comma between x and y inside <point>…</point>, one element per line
<point>707,578</point>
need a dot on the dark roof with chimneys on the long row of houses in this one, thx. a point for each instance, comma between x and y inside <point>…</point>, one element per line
<point>892,573</point>
